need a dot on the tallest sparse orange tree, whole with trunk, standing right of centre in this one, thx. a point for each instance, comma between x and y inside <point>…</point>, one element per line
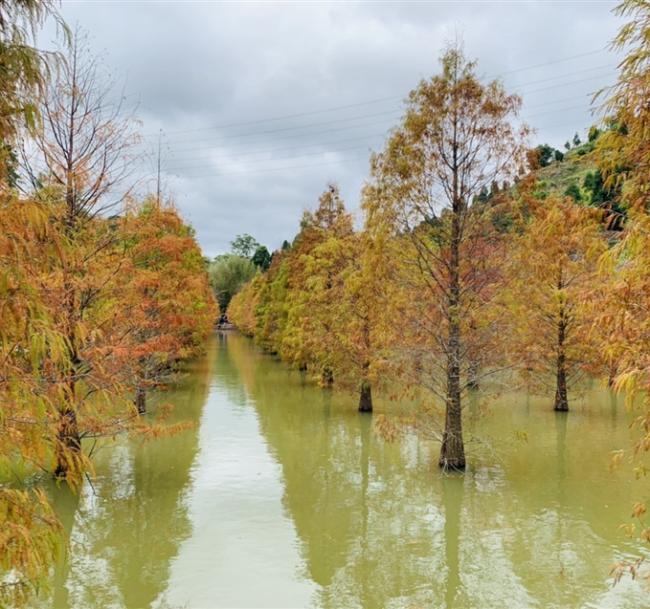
<point>456,139</point>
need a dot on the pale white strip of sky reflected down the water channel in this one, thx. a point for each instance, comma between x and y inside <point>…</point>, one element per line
<point>243,550</point>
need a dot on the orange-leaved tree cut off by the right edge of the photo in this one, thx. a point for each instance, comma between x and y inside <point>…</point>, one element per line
<point>623,321</point>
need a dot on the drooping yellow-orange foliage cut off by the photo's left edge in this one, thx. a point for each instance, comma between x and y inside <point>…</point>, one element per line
<point>29,531</point>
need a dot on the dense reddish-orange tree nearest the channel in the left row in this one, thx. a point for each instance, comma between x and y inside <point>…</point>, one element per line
<point>169,308</point>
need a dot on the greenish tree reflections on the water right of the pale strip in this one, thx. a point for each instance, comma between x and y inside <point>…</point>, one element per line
<point>381,527</point>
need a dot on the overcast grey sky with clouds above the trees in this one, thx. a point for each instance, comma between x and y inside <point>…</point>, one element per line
<point>262,104</point>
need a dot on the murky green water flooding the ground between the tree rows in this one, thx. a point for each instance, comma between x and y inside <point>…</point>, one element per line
<point>280,495</point>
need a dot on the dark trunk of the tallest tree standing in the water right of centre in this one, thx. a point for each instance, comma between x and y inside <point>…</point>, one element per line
<point>452,451</point>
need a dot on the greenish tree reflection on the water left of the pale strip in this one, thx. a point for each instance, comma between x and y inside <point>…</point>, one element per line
<point>126,528</point>
